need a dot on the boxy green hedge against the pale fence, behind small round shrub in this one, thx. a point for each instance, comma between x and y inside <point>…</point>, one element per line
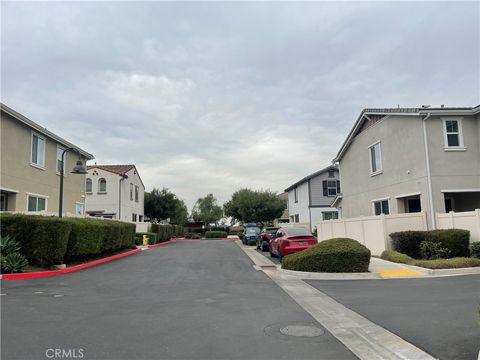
<point>455,240</point>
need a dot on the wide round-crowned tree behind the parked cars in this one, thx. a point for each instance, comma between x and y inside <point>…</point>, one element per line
<point>254,206</point>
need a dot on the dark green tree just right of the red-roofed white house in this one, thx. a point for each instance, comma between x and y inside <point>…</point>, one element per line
<point>163,204</point>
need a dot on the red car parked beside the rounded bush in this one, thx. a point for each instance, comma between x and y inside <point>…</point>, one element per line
<point>291,240</point>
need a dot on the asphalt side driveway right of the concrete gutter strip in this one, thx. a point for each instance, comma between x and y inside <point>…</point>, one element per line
<point>437,315</point>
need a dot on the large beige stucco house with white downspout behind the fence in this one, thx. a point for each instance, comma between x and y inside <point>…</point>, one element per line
<point>403,160</point>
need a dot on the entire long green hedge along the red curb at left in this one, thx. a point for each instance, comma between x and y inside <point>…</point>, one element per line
<point>51,240</point>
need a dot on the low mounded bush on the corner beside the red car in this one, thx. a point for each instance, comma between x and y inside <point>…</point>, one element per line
<point>334,255</point>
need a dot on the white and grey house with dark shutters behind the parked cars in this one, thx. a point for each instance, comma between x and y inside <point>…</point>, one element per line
<point>309,199</point>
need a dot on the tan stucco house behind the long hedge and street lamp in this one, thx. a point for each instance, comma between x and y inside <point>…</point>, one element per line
<point>30,168</point>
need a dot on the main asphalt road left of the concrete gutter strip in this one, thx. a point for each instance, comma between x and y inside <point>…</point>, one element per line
<point>187,300</point>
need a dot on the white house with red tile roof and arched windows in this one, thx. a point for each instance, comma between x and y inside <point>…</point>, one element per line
<point>115,192</point>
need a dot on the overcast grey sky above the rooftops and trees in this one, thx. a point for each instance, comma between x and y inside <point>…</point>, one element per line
<point>212,97</point>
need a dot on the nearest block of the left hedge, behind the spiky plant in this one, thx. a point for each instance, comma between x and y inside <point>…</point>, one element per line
<point>42,239</point>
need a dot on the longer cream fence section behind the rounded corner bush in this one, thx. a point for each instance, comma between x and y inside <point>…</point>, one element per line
<point>372,231</point>
